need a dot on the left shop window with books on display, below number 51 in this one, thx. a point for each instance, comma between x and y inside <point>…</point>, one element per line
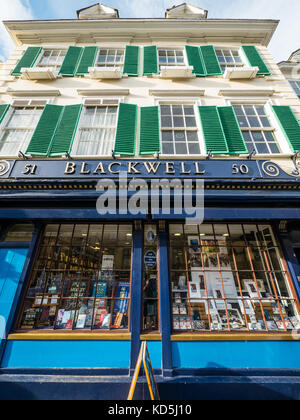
<point>81,279</point>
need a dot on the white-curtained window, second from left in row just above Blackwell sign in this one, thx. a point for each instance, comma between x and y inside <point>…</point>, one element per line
<point>97,130</point>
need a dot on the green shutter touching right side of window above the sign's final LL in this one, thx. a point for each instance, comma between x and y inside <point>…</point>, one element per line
<point>213,132</point>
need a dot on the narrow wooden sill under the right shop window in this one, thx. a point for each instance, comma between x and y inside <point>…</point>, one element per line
<point>233,337</point>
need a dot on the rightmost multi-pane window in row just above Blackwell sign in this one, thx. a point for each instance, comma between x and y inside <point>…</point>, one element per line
<point>258,132</point>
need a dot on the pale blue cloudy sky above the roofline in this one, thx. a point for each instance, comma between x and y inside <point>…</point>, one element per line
<point>285,41</point>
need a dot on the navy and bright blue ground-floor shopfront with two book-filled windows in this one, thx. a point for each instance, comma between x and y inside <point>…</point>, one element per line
<point>217,302</point>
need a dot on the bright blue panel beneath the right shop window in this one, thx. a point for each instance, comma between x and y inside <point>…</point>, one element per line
<point>237,354</point>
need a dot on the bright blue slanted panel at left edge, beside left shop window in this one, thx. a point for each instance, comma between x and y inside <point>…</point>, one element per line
<point>12,264</point>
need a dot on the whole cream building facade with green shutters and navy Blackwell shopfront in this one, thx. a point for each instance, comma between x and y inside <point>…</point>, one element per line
<point>115,100</point>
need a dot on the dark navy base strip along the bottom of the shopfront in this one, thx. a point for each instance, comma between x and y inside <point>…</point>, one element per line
<point>234,385</point>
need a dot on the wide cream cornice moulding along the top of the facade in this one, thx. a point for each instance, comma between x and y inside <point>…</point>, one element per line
<point>252,31</point>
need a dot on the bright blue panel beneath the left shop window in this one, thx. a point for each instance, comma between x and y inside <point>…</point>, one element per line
<point>68,354</point>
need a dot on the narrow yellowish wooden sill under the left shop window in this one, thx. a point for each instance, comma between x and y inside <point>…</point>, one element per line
<point>70,336</point>
